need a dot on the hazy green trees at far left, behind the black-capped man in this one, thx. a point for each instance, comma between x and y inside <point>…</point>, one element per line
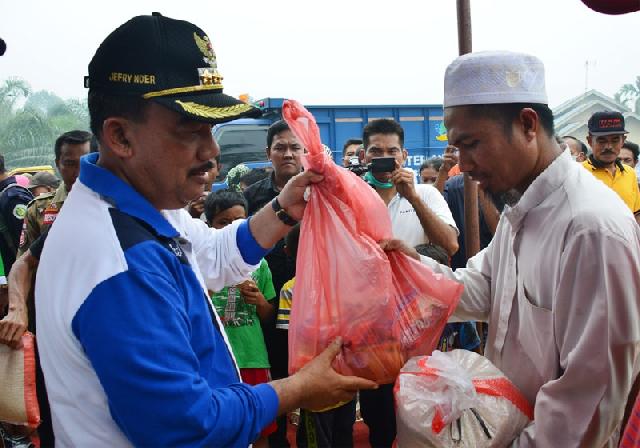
<point>31,122</point>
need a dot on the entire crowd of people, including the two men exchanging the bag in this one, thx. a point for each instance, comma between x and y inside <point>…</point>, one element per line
<point>162,307</point>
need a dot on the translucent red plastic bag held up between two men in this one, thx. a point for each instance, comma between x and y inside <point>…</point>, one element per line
<point>386,307</point>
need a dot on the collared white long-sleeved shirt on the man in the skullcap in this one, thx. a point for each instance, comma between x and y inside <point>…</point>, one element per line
<point>559,285</point>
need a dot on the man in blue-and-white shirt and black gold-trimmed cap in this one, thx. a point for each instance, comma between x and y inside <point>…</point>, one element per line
<point>131,349</point>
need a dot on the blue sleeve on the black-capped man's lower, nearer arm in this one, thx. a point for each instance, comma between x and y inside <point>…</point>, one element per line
<point>136,332</point>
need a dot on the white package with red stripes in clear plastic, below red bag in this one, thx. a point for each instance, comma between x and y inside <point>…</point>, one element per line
<point>457,399</point>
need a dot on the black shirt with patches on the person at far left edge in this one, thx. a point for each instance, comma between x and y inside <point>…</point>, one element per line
<point>13,208</point>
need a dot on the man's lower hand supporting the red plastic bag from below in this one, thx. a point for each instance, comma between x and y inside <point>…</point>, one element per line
<point>321,386</point>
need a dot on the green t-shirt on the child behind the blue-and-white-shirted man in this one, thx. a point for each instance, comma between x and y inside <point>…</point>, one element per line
<point>241,321</point>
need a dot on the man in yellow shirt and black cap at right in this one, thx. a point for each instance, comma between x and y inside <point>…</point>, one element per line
<point>606,137</point>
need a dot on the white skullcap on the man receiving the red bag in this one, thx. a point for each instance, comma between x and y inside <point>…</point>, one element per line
<point>494,77</point>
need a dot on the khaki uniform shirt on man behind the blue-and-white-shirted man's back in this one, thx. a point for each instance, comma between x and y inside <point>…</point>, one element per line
<point>41,213</point>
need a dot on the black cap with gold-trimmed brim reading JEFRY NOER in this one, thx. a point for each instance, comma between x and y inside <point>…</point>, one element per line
<point>168,61</point>
